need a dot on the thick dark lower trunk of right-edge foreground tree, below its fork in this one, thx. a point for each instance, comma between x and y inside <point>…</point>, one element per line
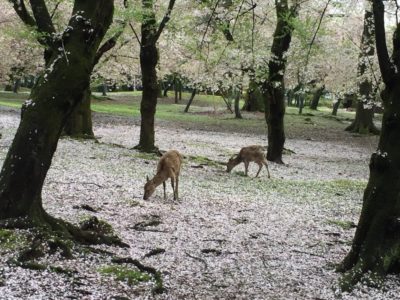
<point>376,245</point>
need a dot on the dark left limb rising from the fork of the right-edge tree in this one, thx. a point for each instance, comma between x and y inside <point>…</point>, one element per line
<point>387,68</point>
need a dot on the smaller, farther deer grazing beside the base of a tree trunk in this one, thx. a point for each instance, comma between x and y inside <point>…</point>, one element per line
<point>253,153</point>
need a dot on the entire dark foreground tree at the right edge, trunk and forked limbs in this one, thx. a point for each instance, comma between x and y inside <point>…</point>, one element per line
<point>376,244</point>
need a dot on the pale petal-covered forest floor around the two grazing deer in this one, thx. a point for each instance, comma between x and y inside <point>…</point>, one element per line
<point>228,236</point>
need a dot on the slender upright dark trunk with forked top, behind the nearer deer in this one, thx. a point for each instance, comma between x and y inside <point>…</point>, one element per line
<point>148,62</point>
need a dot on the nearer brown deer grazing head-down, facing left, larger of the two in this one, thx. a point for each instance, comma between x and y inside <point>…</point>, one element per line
<point>169,166</point>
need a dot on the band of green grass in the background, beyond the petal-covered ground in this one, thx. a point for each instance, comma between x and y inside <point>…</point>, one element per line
<point>128,104</point>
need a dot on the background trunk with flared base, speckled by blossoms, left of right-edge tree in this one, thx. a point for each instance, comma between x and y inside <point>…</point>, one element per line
<point>363,122</point>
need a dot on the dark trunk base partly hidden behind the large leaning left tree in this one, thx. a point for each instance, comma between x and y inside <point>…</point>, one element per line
<point>79,124</point>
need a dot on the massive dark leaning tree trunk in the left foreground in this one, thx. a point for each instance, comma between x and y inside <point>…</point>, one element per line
<point>52,100</point>
